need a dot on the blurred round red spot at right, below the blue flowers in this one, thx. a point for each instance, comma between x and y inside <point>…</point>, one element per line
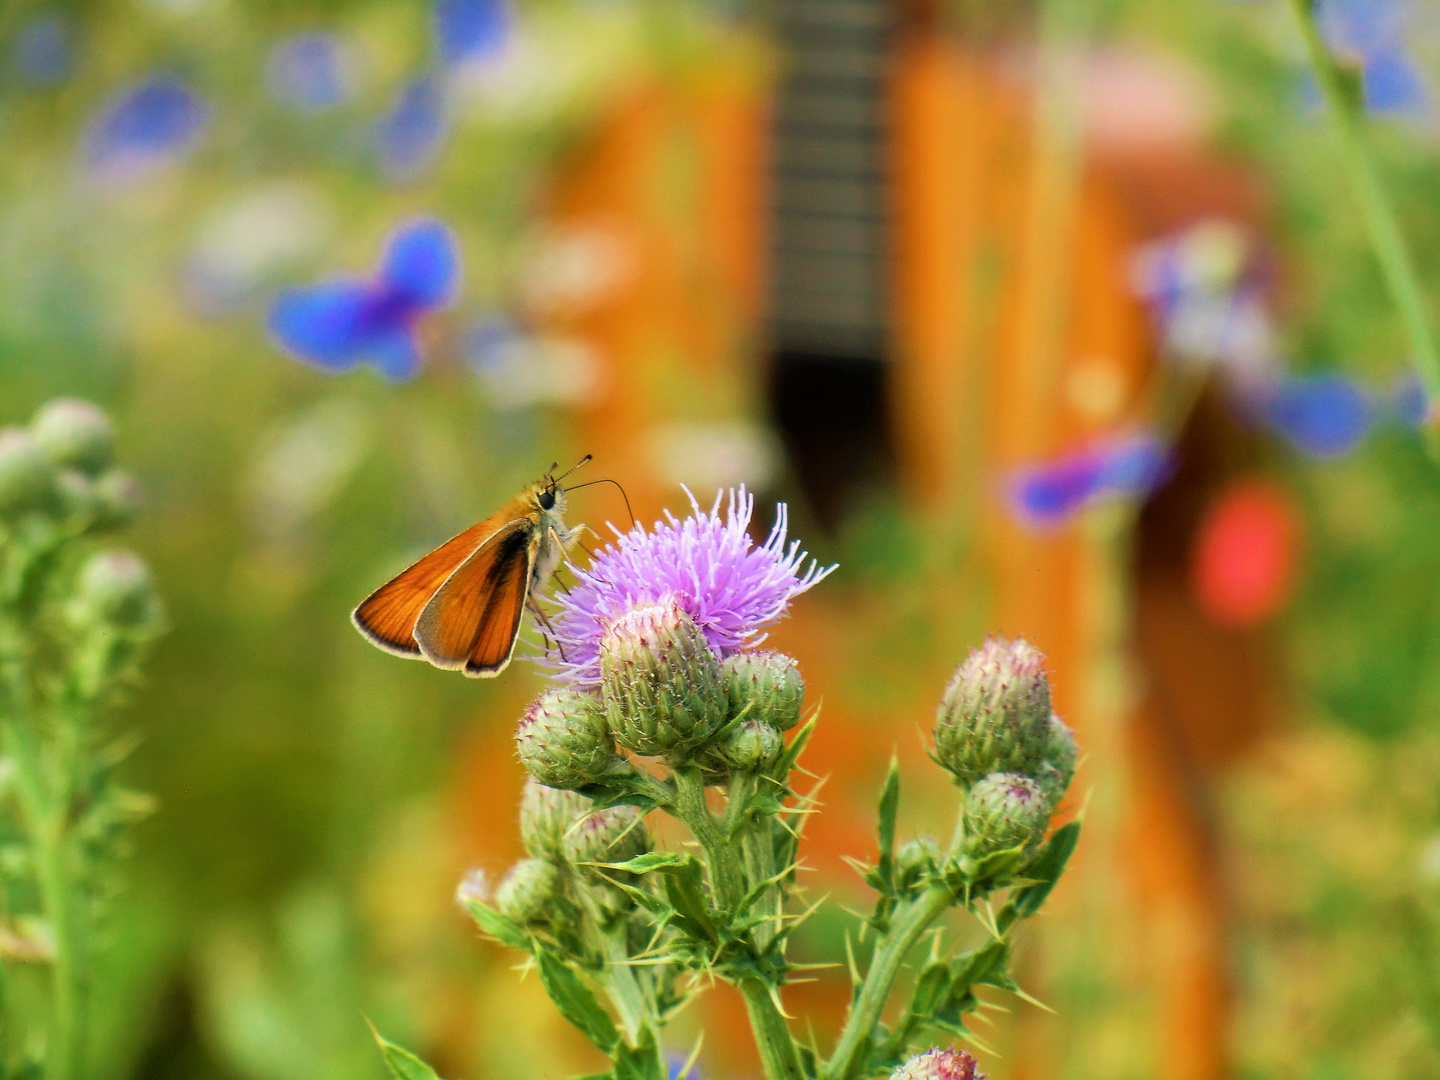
<point>1245,557</point>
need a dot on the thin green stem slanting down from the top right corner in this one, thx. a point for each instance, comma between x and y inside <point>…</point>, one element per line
<point>1386,238</point>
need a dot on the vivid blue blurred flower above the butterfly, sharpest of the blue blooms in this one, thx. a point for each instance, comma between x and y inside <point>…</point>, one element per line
<point>342,323</point>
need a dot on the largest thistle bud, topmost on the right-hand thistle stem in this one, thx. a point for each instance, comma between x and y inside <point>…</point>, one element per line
<point>996,712</point>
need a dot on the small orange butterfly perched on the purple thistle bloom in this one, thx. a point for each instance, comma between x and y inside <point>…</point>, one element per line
<point>460,607</point>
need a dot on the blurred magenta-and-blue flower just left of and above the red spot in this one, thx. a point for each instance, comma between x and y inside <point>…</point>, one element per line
<point>1048,495</point>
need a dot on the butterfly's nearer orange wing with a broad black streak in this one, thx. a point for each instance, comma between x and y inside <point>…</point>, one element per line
<point>473,620</point>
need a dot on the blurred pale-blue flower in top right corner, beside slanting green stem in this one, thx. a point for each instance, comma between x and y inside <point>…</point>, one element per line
<point>1377,35</point>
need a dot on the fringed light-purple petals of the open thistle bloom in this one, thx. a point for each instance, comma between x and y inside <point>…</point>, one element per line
<point>706,564</point>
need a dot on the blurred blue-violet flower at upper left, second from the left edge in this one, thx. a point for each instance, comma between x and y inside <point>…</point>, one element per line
<point>143,127</point>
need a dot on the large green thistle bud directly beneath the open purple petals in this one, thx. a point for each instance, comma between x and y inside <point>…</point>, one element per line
<point>660,680</point>
